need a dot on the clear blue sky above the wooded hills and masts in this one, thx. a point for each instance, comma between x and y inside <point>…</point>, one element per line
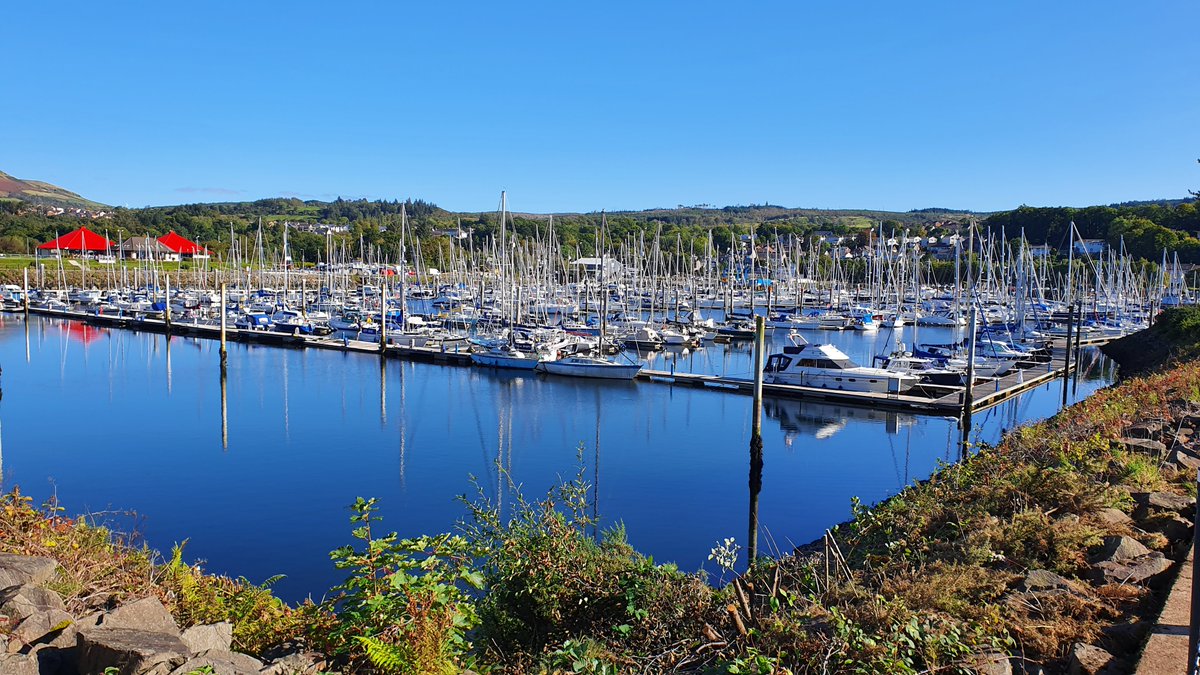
<point>581,106</point>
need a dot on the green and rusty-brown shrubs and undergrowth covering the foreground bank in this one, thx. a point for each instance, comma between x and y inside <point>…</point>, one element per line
<point>932,581</point>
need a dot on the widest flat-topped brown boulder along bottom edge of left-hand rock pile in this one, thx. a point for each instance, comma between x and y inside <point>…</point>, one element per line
<point>131,652</point>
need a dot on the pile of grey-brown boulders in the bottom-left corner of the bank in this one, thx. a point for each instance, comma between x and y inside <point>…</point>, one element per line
<point>135,637</point>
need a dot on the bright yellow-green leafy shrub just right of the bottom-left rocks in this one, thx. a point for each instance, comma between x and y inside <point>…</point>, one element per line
<point>406,606</point>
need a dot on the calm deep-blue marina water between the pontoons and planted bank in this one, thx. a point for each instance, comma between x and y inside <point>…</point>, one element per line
<point>113,421</point>
